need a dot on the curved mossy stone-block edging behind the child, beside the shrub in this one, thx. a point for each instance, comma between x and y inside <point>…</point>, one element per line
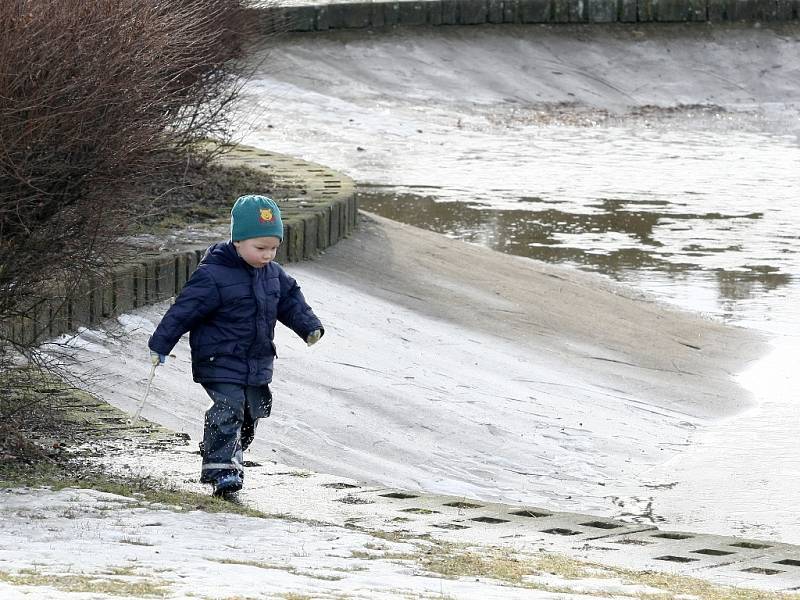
<point>323,212</point>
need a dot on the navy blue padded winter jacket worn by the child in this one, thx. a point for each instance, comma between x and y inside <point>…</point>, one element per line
<point>231,308</point>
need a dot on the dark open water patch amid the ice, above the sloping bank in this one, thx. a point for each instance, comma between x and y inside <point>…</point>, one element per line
<point>617,238</point>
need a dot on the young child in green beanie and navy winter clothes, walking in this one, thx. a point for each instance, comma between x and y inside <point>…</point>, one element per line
<point>230,306</point>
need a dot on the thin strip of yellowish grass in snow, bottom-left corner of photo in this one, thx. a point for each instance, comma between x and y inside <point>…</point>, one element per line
<point>87,584</point>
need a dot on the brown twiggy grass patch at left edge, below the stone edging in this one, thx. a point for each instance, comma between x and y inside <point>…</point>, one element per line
<point>44,410</point>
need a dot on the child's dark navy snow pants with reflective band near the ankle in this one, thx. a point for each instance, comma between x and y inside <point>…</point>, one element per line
<point>230,426</point>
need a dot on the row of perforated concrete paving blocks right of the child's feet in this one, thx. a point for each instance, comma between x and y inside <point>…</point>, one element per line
<point>771,565</point>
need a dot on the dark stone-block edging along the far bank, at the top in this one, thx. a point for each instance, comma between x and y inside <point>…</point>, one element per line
<point>373,15</point>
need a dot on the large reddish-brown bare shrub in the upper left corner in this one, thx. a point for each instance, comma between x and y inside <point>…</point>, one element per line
<point>95,97</point>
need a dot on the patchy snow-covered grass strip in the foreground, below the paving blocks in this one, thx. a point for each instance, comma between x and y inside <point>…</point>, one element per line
<point>81,544</point>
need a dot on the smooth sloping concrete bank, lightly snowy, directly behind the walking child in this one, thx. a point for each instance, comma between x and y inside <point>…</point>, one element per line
<point>449,368</point>
